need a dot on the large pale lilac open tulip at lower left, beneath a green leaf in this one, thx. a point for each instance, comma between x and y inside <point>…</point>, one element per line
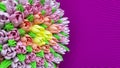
<point>8,52</point>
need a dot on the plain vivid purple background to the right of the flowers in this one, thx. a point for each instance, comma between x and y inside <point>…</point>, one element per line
<point>95,33</point>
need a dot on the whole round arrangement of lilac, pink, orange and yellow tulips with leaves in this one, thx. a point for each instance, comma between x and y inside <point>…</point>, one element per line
<point>33,34</point>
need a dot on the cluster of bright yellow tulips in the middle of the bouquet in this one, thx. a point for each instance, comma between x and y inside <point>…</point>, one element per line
<point>42,35</point>
